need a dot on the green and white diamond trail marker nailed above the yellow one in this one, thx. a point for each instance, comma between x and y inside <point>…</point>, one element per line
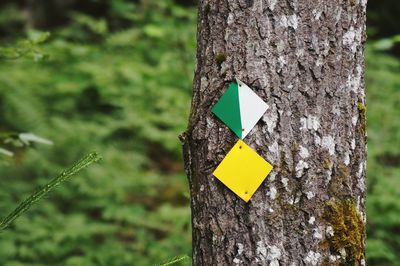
<point>240,108</point>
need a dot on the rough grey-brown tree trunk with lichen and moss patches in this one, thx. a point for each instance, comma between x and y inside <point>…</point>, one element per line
<point>305,59</point>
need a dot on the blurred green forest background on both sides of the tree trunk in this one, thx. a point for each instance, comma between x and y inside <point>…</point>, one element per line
<point>115,76</point>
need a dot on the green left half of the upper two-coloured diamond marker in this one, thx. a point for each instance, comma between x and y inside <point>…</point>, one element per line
<point>228,110</point>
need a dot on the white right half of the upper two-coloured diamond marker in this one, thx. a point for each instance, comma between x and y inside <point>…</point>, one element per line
<point>252,108</point>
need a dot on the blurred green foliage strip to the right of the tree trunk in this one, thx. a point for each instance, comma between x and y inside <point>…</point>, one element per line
<point>383,167</point>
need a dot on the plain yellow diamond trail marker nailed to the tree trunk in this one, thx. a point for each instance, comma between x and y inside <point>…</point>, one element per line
<point>242,170</point>
